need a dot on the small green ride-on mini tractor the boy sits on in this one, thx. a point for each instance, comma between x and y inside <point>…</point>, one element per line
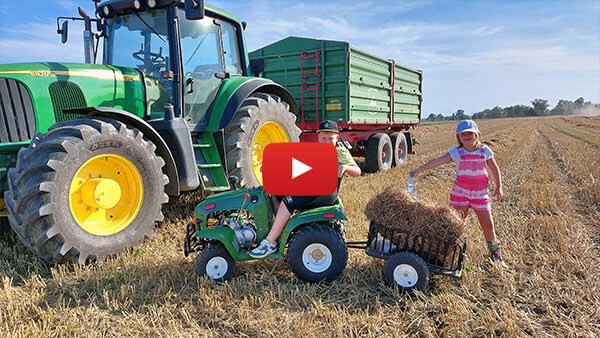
<point>228,225</point>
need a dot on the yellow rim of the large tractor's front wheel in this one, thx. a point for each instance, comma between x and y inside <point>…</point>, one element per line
<point>106,194</point>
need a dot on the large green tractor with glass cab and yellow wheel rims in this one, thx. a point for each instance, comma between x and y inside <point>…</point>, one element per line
<point>90,152</point>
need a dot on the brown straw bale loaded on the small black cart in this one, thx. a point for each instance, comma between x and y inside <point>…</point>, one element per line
<point>395,208</point>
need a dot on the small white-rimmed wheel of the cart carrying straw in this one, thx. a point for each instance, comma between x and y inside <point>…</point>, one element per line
<point>407,271</point>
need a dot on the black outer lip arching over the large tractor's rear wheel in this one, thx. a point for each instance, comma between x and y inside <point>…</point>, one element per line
<point>249,87</point>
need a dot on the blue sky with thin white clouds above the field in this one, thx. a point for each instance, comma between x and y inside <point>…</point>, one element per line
<point>474,54</point>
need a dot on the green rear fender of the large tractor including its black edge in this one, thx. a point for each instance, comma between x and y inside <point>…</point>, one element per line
<point>234,91</point>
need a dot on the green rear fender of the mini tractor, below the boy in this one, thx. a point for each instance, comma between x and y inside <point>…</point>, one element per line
<point>318,215</point>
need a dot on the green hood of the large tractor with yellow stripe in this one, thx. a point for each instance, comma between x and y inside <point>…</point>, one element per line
<point>44,89</point>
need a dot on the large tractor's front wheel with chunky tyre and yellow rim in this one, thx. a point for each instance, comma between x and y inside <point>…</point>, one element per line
<point>87,189</point>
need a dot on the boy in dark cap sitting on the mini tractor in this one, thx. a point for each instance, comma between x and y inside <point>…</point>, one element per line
<point>328,133</point>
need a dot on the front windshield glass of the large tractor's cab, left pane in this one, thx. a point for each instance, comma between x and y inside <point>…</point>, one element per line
<point>141,40</point>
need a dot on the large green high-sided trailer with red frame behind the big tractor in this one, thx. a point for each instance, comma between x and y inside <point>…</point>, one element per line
<point>374,100</point>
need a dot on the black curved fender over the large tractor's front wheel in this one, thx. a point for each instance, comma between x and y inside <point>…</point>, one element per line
<point>170,169</point>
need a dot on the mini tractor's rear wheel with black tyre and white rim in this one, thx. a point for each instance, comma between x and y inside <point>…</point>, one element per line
<point>317,253</point>
